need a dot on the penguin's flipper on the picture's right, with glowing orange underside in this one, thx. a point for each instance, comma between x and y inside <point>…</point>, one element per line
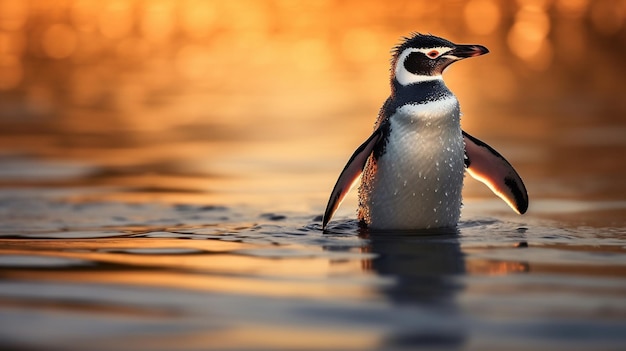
<point>488,166</point>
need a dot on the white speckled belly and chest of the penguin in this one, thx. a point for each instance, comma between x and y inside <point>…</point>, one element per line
<point>417,182</point>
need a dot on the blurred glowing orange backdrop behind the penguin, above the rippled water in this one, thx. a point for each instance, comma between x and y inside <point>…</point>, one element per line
<point>264,101</point>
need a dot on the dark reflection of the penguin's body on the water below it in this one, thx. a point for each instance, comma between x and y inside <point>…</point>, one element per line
<point>425,268</point>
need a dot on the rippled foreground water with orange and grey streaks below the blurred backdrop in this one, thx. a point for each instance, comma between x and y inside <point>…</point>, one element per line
<point>148,276</point>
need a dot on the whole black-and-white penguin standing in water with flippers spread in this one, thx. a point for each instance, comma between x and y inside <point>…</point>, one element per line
<point>413,165</point>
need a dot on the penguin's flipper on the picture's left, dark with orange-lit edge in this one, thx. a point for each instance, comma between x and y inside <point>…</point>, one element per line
<point>350,173</point>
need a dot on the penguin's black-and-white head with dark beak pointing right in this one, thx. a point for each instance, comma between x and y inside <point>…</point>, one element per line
<point>424,57</point>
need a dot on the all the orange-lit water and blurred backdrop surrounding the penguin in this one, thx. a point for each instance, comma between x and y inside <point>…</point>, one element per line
<point>163,166</point>
